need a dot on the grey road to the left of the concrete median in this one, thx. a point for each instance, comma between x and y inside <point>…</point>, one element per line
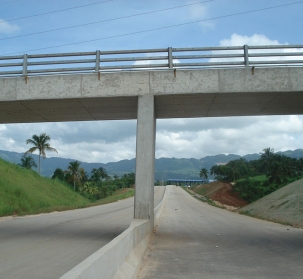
<point>49,245</point>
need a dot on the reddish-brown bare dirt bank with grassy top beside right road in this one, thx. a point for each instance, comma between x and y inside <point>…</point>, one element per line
<point>222,193</point>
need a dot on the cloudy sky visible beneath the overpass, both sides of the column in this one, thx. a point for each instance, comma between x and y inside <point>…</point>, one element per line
<point>108,141</point>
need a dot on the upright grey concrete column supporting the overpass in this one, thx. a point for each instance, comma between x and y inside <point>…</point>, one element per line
<point>145,159</point>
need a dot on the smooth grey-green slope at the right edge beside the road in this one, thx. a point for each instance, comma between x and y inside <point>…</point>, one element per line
<point>284,205</point>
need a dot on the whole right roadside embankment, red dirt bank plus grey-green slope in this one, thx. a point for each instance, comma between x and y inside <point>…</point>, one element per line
<point>284,205</point>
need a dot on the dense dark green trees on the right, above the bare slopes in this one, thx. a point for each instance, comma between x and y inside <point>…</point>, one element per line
<point>257,178</point>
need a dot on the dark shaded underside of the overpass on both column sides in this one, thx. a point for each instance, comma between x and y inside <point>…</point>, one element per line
<point>168,106</point>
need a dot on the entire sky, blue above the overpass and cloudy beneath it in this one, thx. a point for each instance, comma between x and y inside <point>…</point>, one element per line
<point>40,26</point>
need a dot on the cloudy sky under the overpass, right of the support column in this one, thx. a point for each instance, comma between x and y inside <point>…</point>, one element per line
<point>228,135</point>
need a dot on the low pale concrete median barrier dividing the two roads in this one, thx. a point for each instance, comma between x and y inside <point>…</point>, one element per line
<point>120,258</point>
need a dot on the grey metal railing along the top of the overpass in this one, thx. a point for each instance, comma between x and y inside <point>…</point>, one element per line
<point>169,58</point>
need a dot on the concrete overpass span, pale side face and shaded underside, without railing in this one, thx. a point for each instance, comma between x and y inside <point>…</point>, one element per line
<point>186,93</point>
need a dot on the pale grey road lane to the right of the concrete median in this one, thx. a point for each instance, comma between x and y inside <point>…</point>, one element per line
<point>196,240</point>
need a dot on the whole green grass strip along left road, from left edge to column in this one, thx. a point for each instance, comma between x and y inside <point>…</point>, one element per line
<point>24,191</point>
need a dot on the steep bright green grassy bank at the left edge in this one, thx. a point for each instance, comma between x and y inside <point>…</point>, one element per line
<point>25,192</point>
